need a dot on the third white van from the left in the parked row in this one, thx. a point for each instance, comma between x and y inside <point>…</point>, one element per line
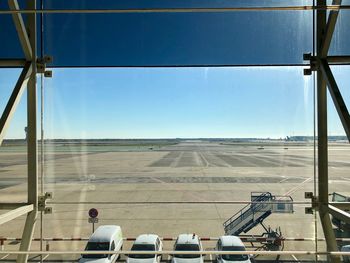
<point>187,242</point>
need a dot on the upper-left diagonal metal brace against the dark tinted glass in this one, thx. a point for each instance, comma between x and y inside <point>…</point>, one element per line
<point>21,30</point>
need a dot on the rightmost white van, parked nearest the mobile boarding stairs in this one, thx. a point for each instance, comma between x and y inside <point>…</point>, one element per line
<point>231,243</point>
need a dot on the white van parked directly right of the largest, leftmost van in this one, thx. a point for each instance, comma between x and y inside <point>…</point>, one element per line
<point>146,242</point>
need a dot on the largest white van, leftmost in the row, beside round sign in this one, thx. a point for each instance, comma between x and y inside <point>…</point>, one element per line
<point>108,237</point>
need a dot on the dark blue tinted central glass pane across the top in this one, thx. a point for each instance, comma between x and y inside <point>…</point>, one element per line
<point>163,39</point>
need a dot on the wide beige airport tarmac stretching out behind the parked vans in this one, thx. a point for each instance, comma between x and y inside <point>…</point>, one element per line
<point>126,185</point>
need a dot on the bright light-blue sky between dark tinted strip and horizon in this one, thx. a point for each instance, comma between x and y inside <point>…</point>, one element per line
<point>175,103</point>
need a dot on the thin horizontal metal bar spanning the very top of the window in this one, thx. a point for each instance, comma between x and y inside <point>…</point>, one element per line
<point>176,10</point>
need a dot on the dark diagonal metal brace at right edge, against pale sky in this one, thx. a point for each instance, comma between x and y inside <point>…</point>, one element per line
<point>336,96</point>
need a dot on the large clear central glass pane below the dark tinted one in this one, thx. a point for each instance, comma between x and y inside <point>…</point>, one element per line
<point>122,140</point>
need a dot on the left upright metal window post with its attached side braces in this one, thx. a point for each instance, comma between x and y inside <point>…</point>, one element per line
<point>27,36</point>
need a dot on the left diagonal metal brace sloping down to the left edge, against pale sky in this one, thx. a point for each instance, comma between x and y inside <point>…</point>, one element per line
<point>14,99</point>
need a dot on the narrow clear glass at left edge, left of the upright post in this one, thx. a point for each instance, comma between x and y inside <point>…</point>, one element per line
<point>13,158</point>
